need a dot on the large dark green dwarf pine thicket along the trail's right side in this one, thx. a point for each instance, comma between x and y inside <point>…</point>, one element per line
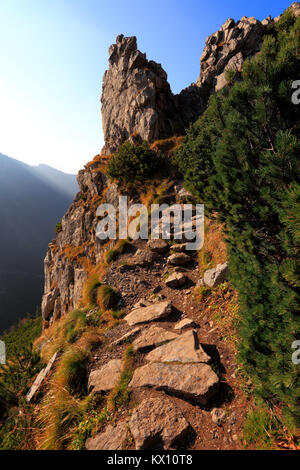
<point>241,158</point>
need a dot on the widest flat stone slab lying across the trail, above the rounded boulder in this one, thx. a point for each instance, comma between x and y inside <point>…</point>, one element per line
<point>196,382</point>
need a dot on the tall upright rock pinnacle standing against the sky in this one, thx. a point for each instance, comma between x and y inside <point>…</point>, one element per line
<point>137,102</point>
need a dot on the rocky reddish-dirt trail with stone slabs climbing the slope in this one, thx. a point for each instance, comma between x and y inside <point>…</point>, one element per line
<point>192,380</point>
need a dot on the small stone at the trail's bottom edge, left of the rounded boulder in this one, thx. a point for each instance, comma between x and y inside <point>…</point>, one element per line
<point>111,439</point>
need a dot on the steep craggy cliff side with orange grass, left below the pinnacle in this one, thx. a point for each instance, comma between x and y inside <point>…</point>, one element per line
<point>76,247</point>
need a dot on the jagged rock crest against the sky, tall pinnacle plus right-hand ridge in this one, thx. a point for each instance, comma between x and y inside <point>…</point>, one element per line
<point>137,102</point>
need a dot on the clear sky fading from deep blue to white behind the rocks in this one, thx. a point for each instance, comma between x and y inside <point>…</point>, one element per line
<point>54,54</point>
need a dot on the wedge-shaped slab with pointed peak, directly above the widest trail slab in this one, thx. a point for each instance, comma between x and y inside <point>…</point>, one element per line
<point>185,348</point>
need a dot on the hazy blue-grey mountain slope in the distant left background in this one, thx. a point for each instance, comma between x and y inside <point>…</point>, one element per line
<point>32,200</point>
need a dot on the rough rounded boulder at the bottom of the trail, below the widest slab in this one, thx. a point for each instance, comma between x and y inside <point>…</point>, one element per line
<point>157,420</point>
